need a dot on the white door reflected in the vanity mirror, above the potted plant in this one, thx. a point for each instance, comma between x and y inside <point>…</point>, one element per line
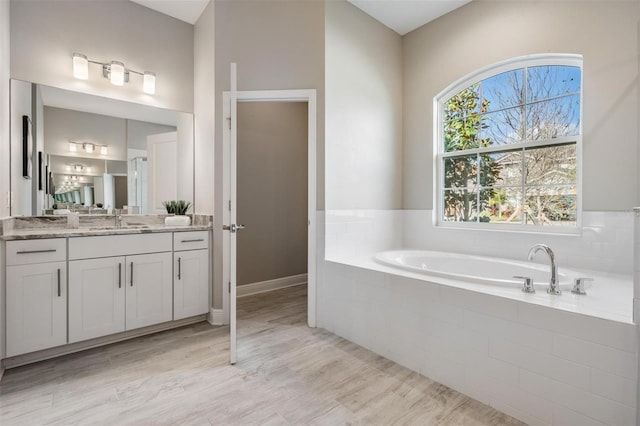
<point>162,170</point>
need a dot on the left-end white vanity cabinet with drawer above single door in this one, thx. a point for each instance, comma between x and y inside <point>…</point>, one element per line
<point>36,295</point>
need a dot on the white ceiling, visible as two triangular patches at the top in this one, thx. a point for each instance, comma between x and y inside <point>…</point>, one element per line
<point>402,16</point>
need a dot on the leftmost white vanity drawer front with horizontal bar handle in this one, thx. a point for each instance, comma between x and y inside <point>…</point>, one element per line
<point>36,251</point>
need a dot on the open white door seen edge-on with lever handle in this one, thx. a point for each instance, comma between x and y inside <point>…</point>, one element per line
<point>229,226</point>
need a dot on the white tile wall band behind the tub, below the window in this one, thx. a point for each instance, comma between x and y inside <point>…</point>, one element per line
<point>605,244</point>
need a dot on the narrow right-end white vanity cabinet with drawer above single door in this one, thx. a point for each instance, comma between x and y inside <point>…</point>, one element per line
<point>191,274</point>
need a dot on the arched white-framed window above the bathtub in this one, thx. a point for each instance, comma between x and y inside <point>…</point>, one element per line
<point>509,144</point>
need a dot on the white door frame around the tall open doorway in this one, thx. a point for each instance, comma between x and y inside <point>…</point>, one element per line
<point>294,95</point>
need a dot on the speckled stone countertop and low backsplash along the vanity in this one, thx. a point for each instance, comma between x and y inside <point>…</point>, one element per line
<point>39,227</point>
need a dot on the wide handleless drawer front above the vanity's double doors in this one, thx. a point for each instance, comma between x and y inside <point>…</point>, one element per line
<point>118,245</point>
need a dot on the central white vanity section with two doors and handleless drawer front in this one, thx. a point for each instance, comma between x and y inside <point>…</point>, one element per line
<point>110,292</point>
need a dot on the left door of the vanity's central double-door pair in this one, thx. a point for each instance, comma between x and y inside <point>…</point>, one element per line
<point>96,297</point>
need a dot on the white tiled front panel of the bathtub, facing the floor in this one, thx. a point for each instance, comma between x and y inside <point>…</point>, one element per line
<point>538,364</point>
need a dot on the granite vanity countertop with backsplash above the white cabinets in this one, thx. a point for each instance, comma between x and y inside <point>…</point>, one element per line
<point>44,227</point>
